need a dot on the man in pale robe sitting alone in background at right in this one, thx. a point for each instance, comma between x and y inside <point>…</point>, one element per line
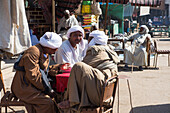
<point>136,53</point>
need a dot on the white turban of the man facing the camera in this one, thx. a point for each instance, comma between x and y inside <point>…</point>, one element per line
<point>74,29</point>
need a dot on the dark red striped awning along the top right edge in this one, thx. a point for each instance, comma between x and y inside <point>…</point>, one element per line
<point>152,3</point>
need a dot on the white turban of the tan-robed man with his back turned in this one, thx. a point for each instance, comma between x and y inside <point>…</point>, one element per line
<point>99,38</point>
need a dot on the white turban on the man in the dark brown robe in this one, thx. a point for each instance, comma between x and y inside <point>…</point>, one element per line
<point>51,40</point>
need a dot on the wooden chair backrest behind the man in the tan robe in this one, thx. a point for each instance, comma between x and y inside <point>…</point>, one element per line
<point>109,89</point>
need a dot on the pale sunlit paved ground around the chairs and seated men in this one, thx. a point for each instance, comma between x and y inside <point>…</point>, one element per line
<point>150,88</point>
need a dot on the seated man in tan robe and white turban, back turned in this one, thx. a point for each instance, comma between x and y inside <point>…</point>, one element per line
<point>84,86</point>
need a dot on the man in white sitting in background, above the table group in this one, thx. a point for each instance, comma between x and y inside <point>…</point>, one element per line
<point>65,23</point>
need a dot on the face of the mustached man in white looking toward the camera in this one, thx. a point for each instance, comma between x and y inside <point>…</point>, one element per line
<point>75,37</point>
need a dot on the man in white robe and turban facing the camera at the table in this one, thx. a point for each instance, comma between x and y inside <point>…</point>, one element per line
<point>72,50</point>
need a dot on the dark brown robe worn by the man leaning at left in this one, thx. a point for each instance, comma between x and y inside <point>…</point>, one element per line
<point>28,86</point>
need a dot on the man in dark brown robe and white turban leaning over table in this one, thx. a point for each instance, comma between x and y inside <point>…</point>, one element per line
<point>27,84</point>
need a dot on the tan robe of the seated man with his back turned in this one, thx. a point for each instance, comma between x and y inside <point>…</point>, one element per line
<point>86,80</point>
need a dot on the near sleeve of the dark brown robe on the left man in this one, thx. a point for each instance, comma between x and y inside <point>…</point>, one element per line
<point>33,75</point>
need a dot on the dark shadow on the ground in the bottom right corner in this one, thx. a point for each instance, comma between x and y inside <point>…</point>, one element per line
<point>163,108</point>
